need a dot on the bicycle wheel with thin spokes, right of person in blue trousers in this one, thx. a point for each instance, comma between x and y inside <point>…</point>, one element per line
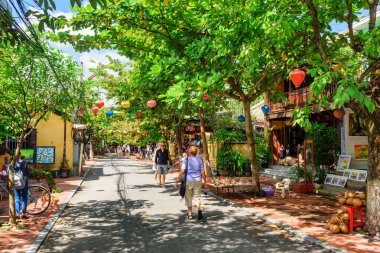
<point>38,199</point>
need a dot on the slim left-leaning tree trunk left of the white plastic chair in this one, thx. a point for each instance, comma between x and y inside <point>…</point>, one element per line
<point>251,145</point>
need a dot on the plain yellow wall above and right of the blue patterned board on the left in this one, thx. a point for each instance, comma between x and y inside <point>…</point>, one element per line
<point>50,133</point>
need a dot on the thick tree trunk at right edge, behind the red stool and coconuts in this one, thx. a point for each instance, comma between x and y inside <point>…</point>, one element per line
<point>373,177</point>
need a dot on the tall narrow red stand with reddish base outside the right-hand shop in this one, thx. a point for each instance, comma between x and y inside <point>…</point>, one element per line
<point>305,187</point>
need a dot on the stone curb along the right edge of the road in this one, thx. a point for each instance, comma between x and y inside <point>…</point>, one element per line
<point>288,228</point>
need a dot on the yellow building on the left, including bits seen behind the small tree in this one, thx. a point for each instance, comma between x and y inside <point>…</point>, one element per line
<point>50,133</point>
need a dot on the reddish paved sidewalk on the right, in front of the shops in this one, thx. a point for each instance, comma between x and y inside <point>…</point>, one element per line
<point>307,213</point>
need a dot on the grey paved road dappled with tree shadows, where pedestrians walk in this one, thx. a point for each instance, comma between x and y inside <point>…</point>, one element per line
<point>119,209</point>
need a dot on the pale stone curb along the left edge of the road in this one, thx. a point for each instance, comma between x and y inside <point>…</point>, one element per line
<point>45,231</point>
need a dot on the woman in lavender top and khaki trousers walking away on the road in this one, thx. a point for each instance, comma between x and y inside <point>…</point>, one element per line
<point>195,180</point>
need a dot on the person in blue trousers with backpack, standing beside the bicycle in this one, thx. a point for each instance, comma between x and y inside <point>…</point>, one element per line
<point>22,194</point>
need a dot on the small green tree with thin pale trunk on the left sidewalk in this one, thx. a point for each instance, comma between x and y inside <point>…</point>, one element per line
<point>32,91</point>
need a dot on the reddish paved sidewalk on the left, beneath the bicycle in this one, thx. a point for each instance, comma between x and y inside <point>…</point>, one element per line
<point>19,240</point>
